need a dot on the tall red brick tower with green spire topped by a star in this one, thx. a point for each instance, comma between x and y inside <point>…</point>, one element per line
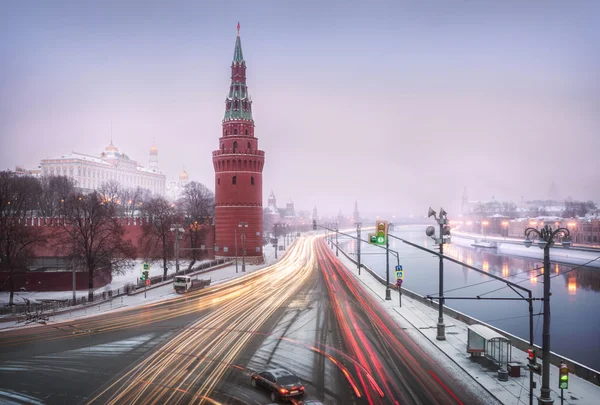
<point>238,172</point>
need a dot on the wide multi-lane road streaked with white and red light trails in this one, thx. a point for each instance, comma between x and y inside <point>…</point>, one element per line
<point>305,313</point>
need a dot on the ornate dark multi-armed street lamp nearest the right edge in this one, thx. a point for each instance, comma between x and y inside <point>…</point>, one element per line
<point>545,241</point>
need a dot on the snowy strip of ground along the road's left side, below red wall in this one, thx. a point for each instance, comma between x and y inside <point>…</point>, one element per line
<point>157,294</point>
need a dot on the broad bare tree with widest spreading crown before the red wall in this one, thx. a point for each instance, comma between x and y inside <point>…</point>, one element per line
<point>93,238</point>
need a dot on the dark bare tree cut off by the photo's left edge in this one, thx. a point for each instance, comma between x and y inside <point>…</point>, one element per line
<point>17,200</point>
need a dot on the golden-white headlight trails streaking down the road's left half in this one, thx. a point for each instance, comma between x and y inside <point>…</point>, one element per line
<point>189,366</point>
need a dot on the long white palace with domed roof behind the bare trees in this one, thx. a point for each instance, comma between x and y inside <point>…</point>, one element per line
<point>89,172</point>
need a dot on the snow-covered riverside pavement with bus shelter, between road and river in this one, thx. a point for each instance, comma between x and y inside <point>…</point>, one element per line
<point>420,320</point>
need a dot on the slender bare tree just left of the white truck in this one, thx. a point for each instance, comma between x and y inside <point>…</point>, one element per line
<point>157,239</point>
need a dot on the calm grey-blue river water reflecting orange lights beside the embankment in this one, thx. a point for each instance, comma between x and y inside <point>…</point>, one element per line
<point>575,300</point>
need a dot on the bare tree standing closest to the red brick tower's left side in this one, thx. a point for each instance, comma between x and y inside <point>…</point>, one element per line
<point>197,207</point>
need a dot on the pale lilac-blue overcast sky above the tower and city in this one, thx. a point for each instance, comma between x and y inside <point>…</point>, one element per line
<point>397,105</point>
